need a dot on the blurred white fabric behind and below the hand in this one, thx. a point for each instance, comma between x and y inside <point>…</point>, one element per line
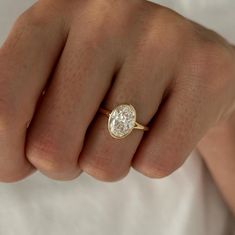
<point>185,203</point>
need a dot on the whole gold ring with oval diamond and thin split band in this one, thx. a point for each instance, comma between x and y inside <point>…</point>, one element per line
<point>122,120</point>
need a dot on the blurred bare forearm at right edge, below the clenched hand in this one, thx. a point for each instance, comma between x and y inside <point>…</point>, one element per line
<point>218,151</point>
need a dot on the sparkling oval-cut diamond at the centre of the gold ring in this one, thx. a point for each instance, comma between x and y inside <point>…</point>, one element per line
<point>122,120</point>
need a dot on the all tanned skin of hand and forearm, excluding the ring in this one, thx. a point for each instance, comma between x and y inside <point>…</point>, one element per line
<point>178,75</point>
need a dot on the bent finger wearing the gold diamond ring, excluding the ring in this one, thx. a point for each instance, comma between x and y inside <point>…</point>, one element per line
<point>109,159</point>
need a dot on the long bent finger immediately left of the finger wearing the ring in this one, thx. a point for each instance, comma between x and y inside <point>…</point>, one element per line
<point>81,79</point>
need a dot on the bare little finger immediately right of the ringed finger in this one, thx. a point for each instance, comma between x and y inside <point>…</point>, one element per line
<point>175,132</point>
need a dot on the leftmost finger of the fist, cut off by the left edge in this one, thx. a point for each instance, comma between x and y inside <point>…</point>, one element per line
<point>26,59</point>
